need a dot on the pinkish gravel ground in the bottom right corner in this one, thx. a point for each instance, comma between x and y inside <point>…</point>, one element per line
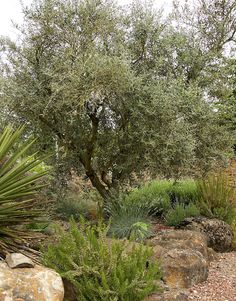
<point>221,282</point>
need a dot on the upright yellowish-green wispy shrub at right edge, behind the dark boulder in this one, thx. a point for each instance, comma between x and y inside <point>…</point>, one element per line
<point>217,198</point>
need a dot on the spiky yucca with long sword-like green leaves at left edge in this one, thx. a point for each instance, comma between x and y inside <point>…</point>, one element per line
<point>18,187</point>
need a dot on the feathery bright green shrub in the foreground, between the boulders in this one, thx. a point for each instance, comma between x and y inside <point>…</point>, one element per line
<point>99,268</point>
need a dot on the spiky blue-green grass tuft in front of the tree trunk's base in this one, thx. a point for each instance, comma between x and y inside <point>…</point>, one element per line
<point>129,220</point>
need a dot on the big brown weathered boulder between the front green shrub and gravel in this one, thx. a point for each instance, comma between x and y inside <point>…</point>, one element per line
<point>183,256</point>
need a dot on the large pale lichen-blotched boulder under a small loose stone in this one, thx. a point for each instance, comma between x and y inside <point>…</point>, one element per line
<point>30,284</point>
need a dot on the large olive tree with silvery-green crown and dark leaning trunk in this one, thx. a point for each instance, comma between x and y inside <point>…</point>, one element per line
<point>116,93</point>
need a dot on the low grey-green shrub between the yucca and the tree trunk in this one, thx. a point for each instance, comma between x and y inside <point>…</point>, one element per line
<point>75,207</point>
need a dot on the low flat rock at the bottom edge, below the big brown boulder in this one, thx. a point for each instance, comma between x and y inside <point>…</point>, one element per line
<point>173,295</point>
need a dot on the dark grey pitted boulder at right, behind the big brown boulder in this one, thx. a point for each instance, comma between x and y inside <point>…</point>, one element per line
<point>219,234</point>
